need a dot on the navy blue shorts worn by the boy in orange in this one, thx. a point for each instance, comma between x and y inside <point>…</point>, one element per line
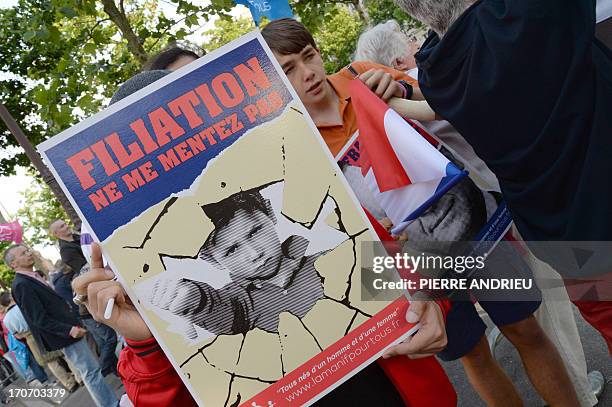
<point>465,328</point>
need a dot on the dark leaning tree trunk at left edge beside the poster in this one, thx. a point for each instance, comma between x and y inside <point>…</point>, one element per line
<point>44,172</point>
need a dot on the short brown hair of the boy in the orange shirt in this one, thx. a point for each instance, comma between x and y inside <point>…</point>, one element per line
<point>287,36</point>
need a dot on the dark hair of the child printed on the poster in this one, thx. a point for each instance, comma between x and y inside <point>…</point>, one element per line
<point>222,212</point>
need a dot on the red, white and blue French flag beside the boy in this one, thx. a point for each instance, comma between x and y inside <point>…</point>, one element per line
<point>405,173</point>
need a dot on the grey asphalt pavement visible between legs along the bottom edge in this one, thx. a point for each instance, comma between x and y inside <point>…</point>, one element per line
<point>596,353</point>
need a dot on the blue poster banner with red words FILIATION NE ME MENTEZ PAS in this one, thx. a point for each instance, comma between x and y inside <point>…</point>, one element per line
<point>124,162</point>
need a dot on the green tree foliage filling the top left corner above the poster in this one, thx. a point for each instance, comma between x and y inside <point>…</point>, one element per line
<point>65,58</point>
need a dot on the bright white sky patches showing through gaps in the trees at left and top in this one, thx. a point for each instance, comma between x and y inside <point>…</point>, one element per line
<point>11,188</point>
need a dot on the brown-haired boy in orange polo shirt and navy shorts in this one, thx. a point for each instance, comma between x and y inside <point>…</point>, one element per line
<point>328,102</point>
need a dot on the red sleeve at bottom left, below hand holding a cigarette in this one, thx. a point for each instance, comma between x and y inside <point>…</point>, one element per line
<point>149,377</point>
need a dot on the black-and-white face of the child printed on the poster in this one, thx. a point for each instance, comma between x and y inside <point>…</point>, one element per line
<point>248,246</point>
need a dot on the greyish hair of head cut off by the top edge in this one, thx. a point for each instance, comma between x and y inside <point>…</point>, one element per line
<point>437,14</point>
